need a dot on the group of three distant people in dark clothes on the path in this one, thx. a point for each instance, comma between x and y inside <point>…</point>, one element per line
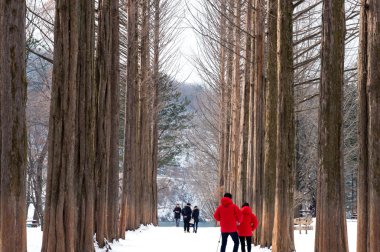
<point>189,216</point>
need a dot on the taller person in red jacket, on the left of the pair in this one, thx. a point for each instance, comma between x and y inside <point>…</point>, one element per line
<point>229,216</point>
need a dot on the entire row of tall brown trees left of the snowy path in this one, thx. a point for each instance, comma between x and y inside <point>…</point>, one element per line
<point>93,42</point>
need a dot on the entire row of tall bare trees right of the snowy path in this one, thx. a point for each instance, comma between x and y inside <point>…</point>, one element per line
<point>261,101</point>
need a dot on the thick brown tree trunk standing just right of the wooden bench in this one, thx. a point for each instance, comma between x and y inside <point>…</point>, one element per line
<point>330,181</point>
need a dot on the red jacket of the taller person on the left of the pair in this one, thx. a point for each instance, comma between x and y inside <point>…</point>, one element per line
<point>228,214</point>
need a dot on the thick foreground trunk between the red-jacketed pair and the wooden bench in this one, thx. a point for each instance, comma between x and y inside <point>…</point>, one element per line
<point>283,240</point>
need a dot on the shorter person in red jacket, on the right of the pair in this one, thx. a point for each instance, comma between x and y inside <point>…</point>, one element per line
<point>248,224</point>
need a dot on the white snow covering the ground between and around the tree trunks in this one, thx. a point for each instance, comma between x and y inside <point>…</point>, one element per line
<point>173,239</point>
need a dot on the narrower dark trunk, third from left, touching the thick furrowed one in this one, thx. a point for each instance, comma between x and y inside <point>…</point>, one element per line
<point>86,129</point>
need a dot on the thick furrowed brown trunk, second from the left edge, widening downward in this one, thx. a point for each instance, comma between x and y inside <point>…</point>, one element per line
<point>60,205</point>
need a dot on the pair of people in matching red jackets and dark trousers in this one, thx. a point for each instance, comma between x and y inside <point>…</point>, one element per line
<point>235,222</point>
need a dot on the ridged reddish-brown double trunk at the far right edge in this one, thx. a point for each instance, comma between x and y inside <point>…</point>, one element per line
<point>369,128</point>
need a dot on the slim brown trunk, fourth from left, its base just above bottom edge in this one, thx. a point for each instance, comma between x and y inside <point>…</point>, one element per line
<point>103,117</point>
